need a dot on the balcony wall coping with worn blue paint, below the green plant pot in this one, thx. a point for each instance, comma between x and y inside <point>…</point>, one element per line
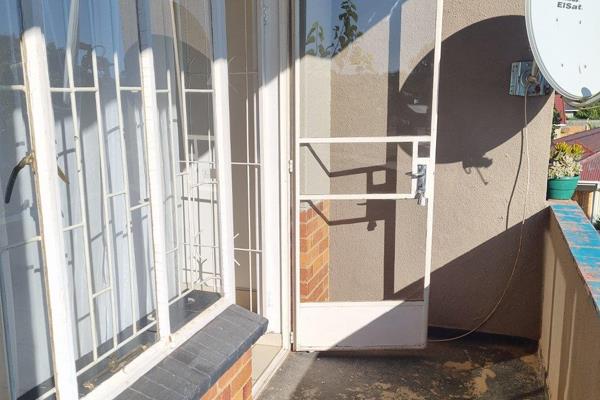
<point>584,244</point>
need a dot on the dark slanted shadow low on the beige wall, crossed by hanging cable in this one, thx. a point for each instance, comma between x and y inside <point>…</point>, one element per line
<point>467,288</point>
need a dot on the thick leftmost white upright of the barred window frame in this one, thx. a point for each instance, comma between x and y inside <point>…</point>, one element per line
<point>41,117</point>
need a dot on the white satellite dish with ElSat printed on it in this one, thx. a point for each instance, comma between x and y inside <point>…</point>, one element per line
<point>564,38</point>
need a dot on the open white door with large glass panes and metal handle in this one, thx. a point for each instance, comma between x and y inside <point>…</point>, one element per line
<point>366,118</point>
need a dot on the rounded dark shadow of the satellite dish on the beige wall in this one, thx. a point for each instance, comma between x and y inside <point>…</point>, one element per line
<point>476,113</point>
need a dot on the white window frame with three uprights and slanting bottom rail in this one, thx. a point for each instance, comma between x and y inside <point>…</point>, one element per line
<point>42,128</point>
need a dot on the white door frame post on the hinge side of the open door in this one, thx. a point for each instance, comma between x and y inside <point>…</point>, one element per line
<point>273,21</point>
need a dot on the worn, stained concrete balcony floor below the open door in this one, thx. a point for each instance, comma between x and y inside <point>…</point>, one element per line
<point>478,367</point>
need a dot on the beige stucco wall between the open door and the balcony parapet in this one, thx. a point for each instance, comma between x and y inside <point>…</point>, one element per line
<point>479,200</point>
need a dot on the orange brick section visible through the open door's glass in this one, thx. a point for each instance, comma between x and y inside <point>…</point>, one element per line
<point>314,252</point>
